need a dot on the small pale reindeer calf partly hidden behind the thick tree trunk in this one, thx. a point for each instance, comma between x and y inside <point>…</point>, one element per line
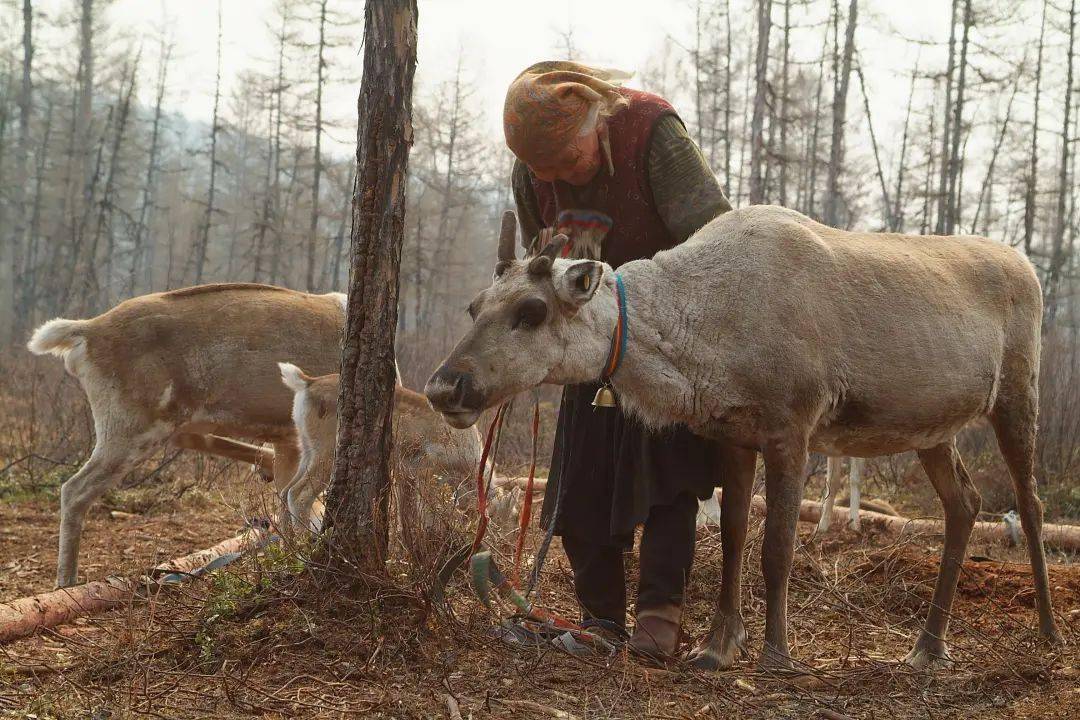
<point>425,446</point>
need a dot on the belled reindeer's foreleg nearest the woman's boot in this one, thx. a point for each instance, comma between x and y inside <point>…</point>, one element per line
<point>727,637</point>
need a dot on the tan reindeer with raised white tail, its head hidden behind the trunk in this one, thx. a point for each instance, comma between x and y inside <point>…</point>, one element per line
<point>174,368</point>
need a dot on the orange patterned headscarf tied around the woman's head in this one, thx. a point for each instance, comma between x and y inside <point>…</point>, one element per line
<point>549,104</point>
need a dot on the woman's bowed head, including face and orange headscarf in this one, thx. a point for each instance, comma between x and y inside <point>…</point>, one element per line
<point>555,119</point>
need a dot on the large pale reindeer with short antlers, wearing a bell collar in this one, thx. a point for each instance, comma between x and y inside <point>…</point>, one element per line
<point>775,334</point>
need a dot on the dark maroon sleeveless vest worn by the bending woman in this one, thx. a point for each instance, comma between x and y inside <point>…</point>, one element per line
<point>638,232</point>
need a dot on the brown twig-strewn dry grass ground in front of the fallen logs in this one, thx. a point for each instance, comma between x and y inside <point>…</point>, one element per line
<point>264,639</point>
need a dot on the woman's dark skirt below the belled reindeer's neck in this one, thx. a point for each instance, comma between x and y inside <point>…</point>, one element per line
<point>614,470</point>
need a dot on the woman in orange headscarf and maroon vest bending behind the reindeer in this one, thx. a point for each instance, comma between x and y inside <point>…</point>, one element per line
<point>585,143</point>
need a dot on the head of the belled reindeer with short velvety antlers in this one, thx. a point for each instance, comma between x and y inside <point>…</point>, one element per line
<point>537,323</point>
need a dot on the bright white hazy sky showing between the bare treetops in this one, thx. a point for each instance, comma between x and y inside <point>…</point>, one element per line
<point>501,38</point>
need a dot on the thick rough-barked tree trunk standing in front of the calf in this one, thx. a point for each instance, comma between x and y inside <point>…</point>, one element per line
<point>358,501</point>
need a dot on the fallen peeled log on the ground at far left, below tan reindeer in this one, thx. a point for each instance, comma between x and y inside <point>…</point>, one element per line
<point>24,617</point>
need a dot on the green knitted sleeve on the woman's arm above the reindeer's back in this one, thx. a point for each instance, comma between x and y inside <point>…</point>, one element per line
<point>685,191</point>
